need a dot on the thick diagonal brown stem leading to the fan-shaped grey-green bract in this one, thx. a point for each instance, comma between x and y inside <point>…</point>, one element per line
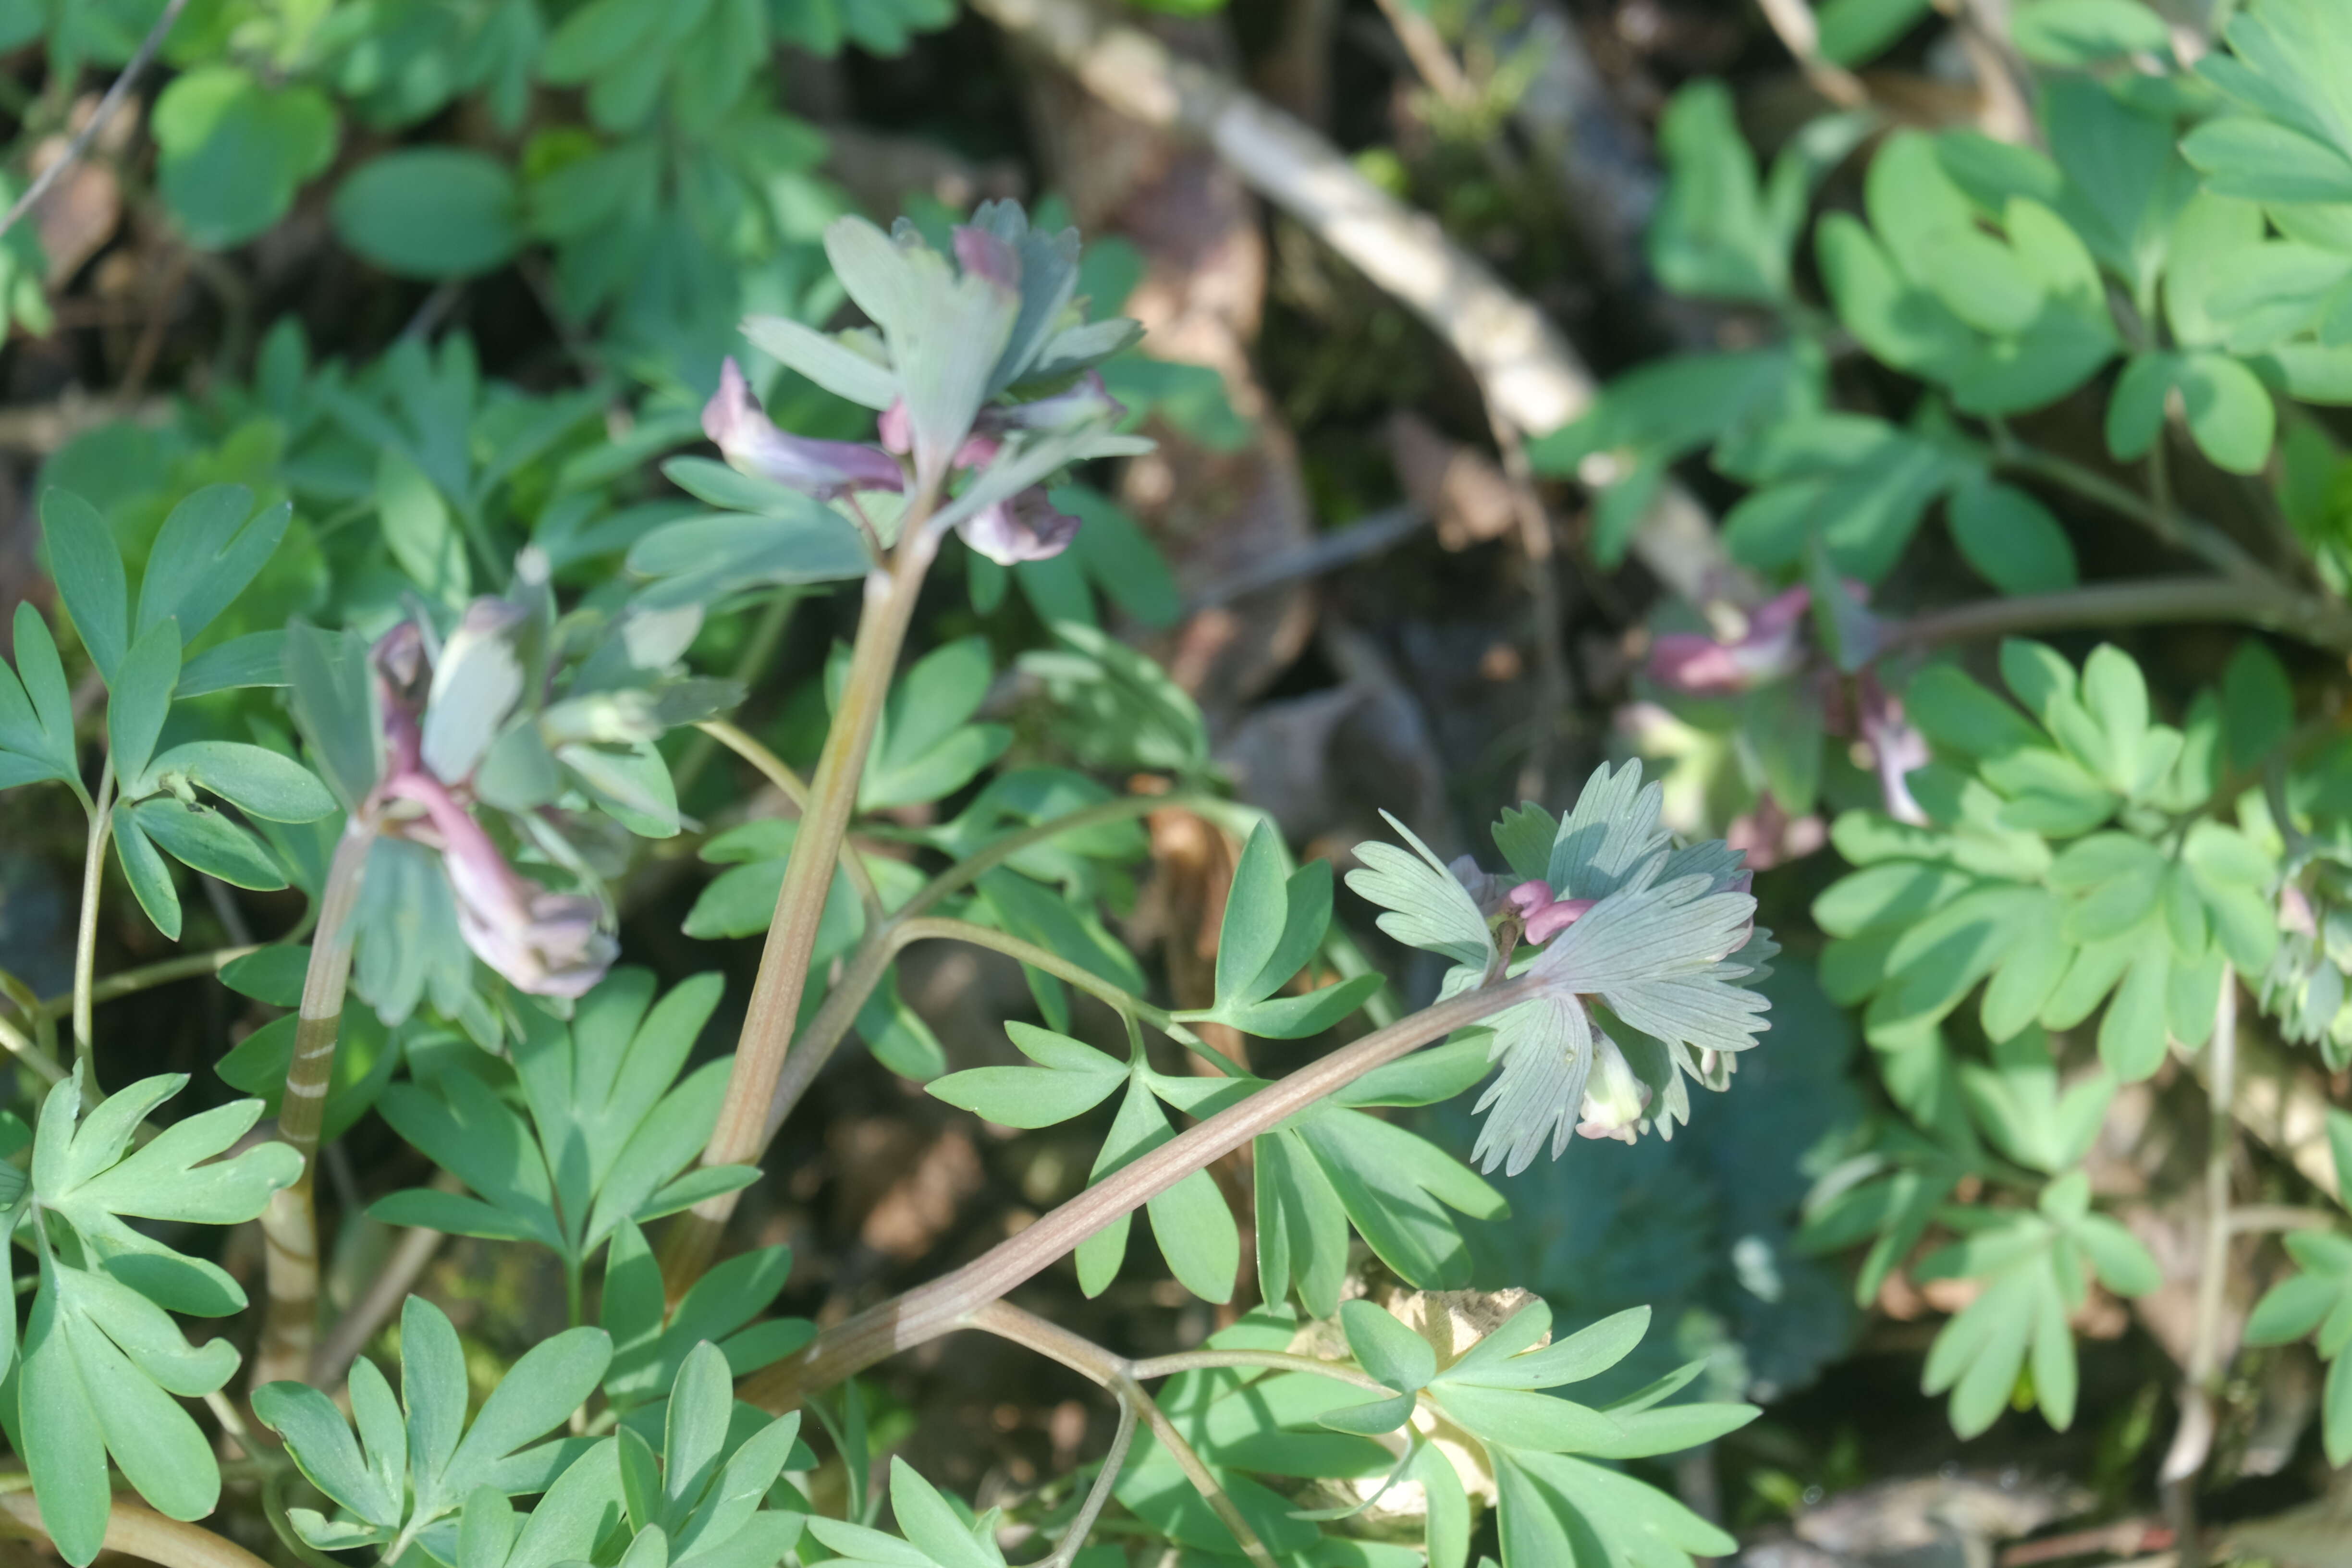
<point>949,1301</point>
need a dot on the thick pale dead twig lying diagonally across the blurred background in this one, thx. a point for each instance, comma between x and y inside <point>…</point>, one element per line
<point>1530,373</point>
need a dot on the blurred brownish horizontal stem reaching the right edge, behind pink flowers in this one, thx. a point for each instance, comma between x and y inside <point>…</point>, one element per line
<point>2137,603</point>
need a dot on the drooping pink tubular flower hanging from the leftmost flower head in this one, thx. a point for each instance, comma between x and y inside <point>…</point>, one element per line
<point>547,944</point>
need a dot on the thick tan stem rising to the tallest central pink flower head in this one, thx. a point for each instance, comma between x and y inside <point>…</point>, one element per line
<point>801,904</point>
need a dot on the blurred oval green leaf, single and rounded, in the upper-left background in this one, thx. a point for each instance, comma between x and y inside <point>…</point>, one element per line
<point>432,213</point>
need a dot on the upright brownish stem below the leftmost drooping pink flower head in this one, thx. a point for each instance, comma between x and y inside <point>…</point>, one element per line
<point>290,1224</point>
